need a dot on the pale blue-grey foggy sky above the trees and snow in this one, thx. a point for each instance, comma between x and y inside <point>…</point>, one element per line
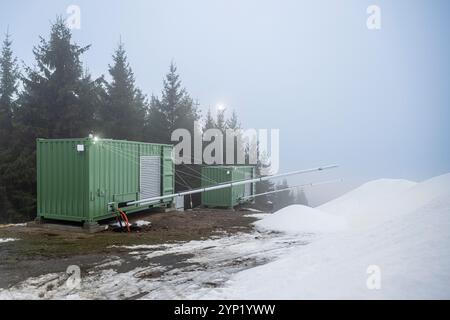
<point>376,102</point>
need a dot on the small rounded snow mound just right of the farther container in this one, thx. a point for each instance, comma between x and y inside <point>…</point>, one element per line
<point>298,219</point>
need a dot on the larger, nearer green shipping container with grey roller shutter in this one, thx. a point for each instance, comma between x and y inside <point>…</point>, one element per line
<point>78,178</point>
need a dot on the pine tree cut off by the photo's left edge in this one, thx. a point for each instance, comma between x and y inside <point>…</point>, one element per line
<point>9,76</point>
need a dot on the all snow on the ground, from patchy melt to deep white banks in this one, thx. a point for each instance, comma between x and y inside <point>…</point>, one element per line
<point>388,239</point>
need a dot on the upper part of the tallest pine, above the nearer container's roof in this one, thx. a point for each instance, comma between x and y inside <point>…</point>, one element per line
<point>59,98</point>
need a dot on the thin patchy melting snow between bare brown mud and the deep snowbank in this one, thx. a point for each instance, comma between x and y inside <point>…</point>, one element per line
<point>172,271</point>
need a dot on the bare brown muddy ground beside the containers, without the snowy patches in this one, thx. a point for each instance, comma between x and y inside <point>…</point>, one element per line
<point>39,251</point>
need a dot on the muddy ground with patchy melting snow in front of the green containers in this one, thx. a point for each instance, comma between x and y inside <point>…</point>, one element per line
<point>190,255</point>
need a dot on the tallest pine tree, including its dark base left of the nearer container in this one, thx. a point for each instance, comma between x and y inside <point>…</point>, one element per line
<point>58,100</point>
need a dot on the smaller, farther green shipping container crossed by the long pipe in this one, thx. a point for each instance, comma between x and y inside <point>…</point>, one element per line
<point>227,197</point>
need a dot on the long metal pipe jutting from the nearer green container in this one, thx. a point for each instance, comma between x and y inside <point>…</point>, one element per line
<point>226,185</point>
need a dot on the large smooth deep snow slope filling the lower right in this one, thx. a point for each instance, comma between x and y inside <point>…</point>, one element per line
<point>408,241</point>
